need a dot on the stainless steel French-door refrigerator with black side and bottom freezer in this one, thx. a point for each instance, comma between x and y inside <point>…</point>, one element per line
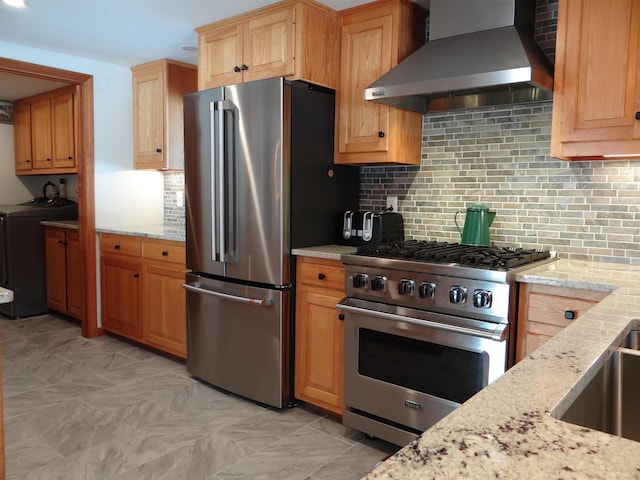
<point>260,180</point>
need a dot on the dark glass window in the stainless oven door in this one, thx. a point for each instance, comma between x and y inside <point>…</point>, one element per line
<point>439,370</point>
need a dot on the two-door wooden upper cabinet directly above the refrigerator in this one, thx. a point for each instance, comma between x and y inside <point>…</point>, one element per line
<point>293,39</point>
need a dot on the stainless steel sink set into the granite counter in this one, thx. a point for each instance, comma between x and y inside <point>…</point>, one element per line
<point>611,400</point>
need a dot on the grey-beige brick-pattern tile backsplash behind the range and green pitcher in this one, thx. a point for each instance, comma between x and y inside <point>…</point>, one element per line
<point>499,157</point>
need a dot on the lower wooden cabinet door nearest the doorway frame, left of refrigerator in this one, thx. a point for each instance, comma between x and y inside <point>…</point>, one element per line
<point>121,295</point>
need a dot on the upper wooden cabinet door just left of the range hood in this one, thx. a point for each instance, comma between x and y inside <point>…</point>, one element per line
<point>365,56</point>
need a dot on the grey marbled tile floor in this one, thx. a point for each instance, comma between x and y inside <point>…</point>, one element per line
<point>102,408</point>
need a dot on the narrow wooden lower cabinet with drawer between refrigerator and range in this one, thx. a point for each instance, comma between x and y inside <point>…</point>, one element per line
<point>319,359</point>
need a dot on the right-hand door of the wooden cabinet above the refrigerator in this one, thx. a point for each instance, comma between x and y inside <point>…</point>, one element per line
<point>268,45</point>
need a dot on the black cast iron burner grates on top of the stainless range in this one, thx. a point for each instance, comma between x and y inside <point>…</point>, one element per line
<point>494,258</point>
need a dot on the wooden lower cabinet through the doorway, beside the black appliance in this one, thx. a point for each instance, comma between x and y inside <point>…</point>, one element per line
<point>65,286</point>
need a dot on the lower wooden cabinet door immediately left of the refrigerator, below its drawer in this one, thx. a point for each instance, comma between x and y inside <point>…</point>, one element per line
<point>164,308</point>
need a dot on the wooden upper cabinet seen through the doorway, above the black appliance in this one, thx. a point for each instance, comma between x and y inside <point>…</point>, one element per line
<point>45,133</point>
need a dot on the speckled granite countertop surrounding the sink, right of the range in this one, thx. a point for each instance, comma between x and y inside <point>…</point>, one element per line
<point>506,430</point>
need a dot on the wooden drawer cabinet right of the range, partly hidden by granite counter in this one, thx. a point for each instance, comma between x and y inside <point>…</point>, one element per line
<point>545,310</point>
